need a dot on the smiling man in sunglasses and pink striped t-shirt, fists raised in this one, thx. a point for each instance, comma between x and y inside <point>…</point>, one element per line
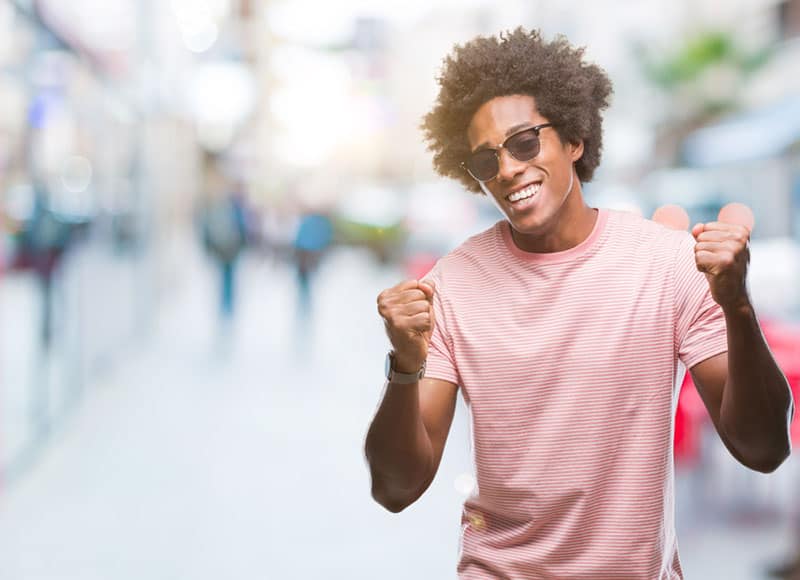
<point>563,326</point>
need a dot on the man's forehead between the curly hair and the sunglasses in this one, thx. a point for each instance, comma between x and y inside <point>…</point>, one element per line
<point>493,120</point>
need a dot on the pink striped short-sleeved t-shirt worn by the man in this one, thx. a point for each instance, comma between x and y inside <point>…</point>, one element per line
<point>567,361</point>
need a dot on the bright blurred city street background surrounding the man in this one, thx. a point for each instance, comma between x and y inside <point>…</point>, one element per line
<point>200,201</point>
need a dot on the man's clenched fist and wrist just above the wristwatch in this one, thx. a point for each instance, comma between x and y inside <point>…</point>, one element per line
<point>407,311</point>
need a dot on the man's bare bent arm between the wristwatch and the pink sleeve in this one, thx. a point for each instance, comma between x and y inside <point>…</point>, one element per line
<point>406,439</point>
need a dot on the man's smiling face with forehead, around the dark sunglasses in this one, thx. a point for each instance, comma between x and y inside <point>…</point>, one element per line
<point>534,195</point>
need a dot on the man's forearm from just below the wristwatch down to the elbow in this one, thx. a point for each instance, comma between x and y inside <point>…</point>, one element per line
<point>398,448</point>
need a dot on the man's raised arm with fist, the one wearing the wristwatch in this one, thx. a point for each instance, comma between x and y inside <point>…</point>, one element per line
<point>406,439</point>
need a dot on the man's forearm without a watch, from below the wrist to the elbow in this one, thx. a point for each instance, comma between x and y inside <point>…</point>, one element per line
<point>757,402</point>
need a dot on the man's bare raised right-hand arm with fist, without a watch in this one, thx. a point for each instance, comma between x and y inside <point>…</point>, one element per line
<point>746,394</point>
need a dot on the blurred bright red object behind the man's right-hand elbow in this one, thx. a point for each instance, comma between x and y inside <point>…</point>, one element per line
<point>784,341</point>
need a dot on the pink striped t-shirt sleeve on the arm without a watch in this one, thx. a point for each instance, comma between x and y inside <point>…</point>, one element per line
<point>700,331</point>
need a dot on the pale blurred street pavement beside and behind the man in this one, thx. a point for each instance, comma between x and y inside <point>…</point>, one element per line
<point>212,450</point>
